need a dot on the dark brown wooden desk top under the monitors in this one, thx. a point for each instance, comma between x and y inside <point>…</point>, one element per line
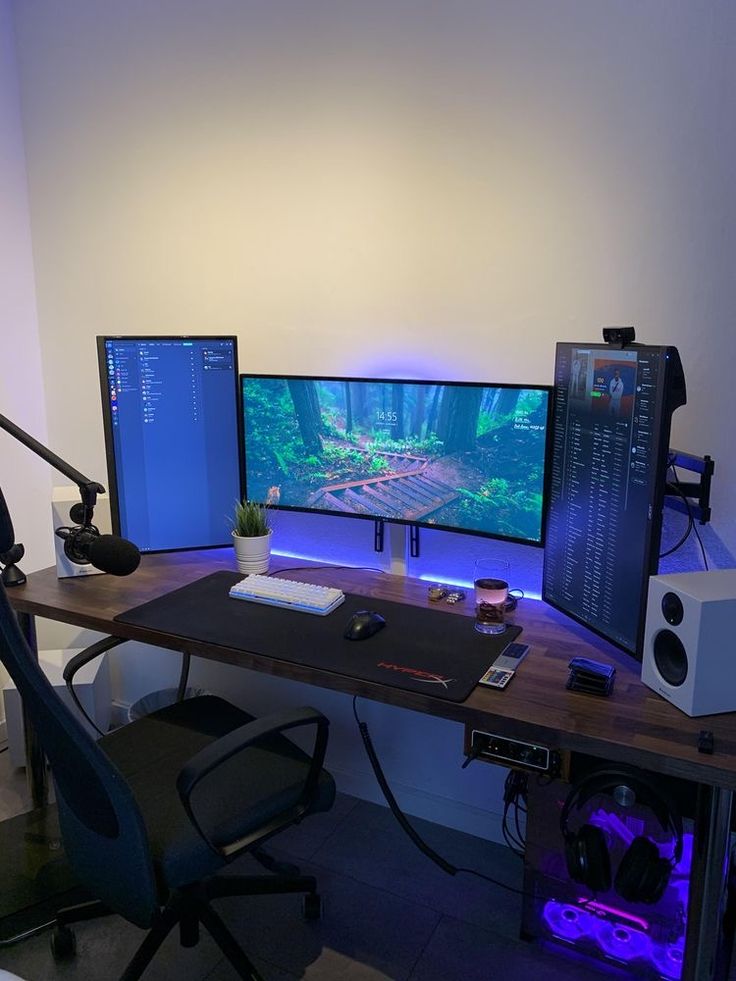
<point>633,726</point>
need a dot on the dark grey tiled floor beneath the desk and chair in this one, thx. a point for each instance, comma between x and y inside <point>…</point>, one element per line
<point>388,913</point>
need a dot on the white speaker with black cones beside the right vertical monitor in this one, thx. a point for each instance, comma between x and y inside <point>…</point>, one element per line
<point>689,654</point>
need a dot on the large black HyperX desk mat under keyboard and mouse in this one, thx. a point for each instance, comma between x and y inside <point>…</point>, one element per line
<point>419,649</point>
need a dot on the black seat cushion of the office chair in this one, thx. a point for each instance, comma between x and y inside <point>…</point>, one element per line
<point>239,798</point>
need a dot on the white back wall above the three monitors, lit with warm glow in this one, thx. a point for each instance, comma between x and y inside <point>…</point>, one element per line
<point>419,188</point>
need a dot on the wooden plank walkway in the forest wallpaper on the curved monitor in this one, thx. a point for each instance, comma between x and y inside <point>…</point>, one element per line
<point>407,493</point>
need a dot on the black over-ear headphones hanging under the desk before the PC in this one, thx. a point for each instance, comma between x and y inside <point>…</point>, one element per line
<point>642,874</point>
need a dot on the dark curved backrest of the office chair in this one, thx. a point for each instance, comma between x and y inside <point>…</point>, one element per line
<point>103,833</point>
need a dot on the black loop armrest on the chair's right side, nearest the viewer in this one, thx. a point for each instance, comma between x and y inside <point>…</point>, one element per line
<point>211,757</point>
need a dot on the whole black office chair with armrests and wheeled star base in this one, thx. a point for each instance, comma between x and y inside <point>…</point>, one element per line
<point>152,811</point>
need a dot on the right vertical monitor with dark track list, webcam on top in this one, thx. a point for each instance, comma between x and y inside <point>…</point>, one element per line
<point>610,444</point>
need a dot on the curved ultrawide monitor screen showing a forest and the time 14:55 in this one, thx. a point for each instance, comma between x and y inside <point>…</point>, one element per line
<point>460,456</point>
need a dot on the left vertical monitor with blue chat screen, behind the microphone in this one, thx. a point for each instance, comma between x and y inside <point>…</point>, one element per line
<point>171,416</point>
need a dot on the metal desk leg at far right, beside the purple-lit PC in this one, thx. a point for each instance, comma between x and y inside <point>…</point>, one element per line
<point>707,884</point>
